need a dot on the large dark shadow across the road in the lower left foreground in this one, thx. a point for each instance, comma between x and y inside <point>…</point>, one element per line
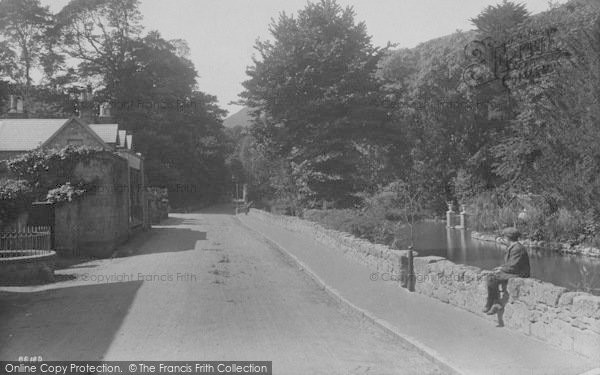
<point>77,323</point>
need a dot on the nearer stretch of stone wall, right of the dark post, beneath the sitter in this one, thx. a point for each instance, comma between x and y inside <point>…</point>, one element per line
<point>569,320</point>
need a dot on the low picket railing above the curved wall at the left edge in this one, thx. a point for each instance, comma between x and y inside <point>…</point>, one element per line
<point>27,238</point>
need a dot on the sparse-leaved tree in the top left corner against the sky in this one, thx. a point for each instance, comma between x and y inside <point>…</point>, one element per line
<point>24,25</point>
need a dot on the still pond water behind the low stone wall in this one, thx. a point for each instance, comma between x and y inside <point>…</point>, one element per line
<point>570,271</point>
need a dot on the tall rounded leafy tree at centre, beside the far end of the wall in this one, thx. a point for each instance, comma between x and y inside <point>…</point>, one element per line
<point>317,99</point>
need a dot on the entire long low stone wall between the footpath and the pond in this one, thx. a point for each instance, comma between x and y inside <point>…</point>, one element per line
<point>569,320</point>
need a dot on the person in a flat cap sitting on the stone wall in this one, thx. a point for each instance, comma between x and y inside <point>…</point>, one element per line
<point>516,264</point>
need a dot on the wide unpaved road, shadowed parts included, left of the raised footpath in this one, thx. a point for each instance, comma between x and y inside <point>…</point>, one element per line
<point>197,287</point>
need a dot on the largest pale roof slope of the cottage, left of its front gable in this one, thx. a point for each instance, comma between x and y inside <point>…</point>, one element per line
<point>27,134</point>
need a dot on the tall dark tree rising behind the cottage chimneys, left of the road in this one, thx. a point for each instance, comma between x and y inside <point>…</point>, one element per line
<point>152,85</point>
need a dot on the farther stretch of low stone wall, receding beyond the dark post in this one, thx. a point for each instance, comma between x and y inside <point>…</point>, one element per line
<point>379,258</point>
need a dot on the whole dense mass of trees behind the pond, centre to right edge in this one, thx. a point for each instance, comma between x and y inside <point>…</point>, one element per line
<point>336,115</point>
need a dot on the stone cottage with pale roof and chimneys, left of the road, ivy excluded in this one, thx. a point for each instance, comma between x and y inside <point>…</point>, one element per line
<point>99,222</point>
